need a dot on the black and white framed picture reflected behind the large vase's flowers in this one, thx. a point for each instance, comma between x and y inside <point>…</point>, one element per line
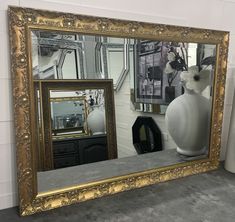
<point>158,65</point>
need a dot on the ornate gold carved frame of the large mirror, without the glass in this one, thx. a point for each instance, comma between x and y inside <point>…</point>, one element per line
<point>21,21</point>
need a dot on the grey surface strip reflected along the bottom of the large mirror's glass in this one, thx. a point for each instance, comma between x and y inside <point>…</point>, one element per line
<point>71,176</point>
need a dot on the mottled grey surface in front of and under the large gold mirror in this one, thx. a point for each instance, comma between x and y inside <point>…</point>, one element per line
<point>208,197</point>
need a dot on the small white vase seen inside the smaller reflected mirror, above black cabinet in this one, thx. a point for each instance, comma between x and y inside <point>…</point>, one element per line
<point>96,120</point>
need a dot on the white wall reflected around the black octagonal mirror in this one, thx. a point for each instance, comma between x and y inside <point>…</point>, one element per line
<point>125,118</point>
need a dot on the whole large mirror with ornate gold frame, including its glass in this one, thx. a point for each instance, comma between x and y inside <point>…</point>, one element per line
<point>104,105</point>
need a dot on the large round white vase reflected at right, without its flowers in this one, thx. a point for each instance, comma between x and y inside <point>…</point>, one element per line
<point>187,119</point>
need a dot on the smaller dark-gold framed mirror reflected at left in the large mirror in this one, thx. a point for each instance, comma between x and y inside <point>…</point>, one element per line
<point>75,121</point>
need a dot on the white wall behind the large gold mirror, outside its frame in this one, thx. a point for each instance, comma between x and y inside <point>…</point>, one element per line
<point>213,14</point>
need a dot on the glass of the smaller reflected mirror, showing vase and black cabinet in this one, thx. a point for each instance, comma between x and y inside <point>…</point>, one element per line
<point>78,127</point>
